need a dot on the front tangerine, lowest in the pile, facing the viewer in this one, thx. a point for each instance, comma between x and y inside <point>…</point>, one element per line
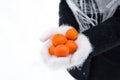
<point>61,51</point>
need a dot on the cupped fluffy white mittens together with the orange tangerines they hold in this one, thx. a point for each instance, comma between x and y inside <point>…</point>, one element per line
<point>73,54</point>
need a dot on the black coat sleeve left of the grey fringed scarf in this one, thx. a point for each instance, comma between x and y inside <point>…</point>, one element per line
<point>66,16</point>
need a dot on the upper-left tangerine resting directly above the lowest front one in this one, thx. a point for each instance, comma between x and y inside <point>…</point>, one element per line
<point>58,39</point>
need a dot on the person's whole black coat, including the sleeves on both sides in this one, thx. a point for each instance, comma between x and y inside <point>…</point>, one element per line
<point>103,62</point>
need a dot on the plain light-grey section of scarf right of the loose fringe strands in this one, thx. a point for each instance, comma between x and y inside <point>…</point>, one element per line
<point>107,8</point>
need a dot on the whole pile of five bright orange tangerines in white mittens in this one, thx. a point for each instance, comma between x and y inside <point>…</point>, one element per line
<point>64,45</point>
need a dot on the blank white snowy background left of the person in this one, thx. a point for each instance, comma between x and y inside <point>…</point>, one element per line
<point>21,24</point>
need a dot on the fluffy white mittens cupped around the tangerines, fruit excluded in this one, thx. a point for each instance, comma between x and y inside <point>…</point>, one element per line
<point>76,59</point>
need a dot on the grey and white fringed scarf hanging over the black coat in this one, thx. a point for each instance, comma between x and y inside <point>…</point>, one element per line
<point>90,13</point>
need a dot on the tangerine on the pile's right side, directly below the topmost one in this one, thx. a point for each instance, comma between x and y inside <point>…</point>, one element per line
<point>71,45</point>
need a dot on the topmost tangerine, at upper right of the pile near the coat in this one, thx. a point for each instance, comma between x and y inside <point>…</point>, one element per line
<point>71,34</point>
